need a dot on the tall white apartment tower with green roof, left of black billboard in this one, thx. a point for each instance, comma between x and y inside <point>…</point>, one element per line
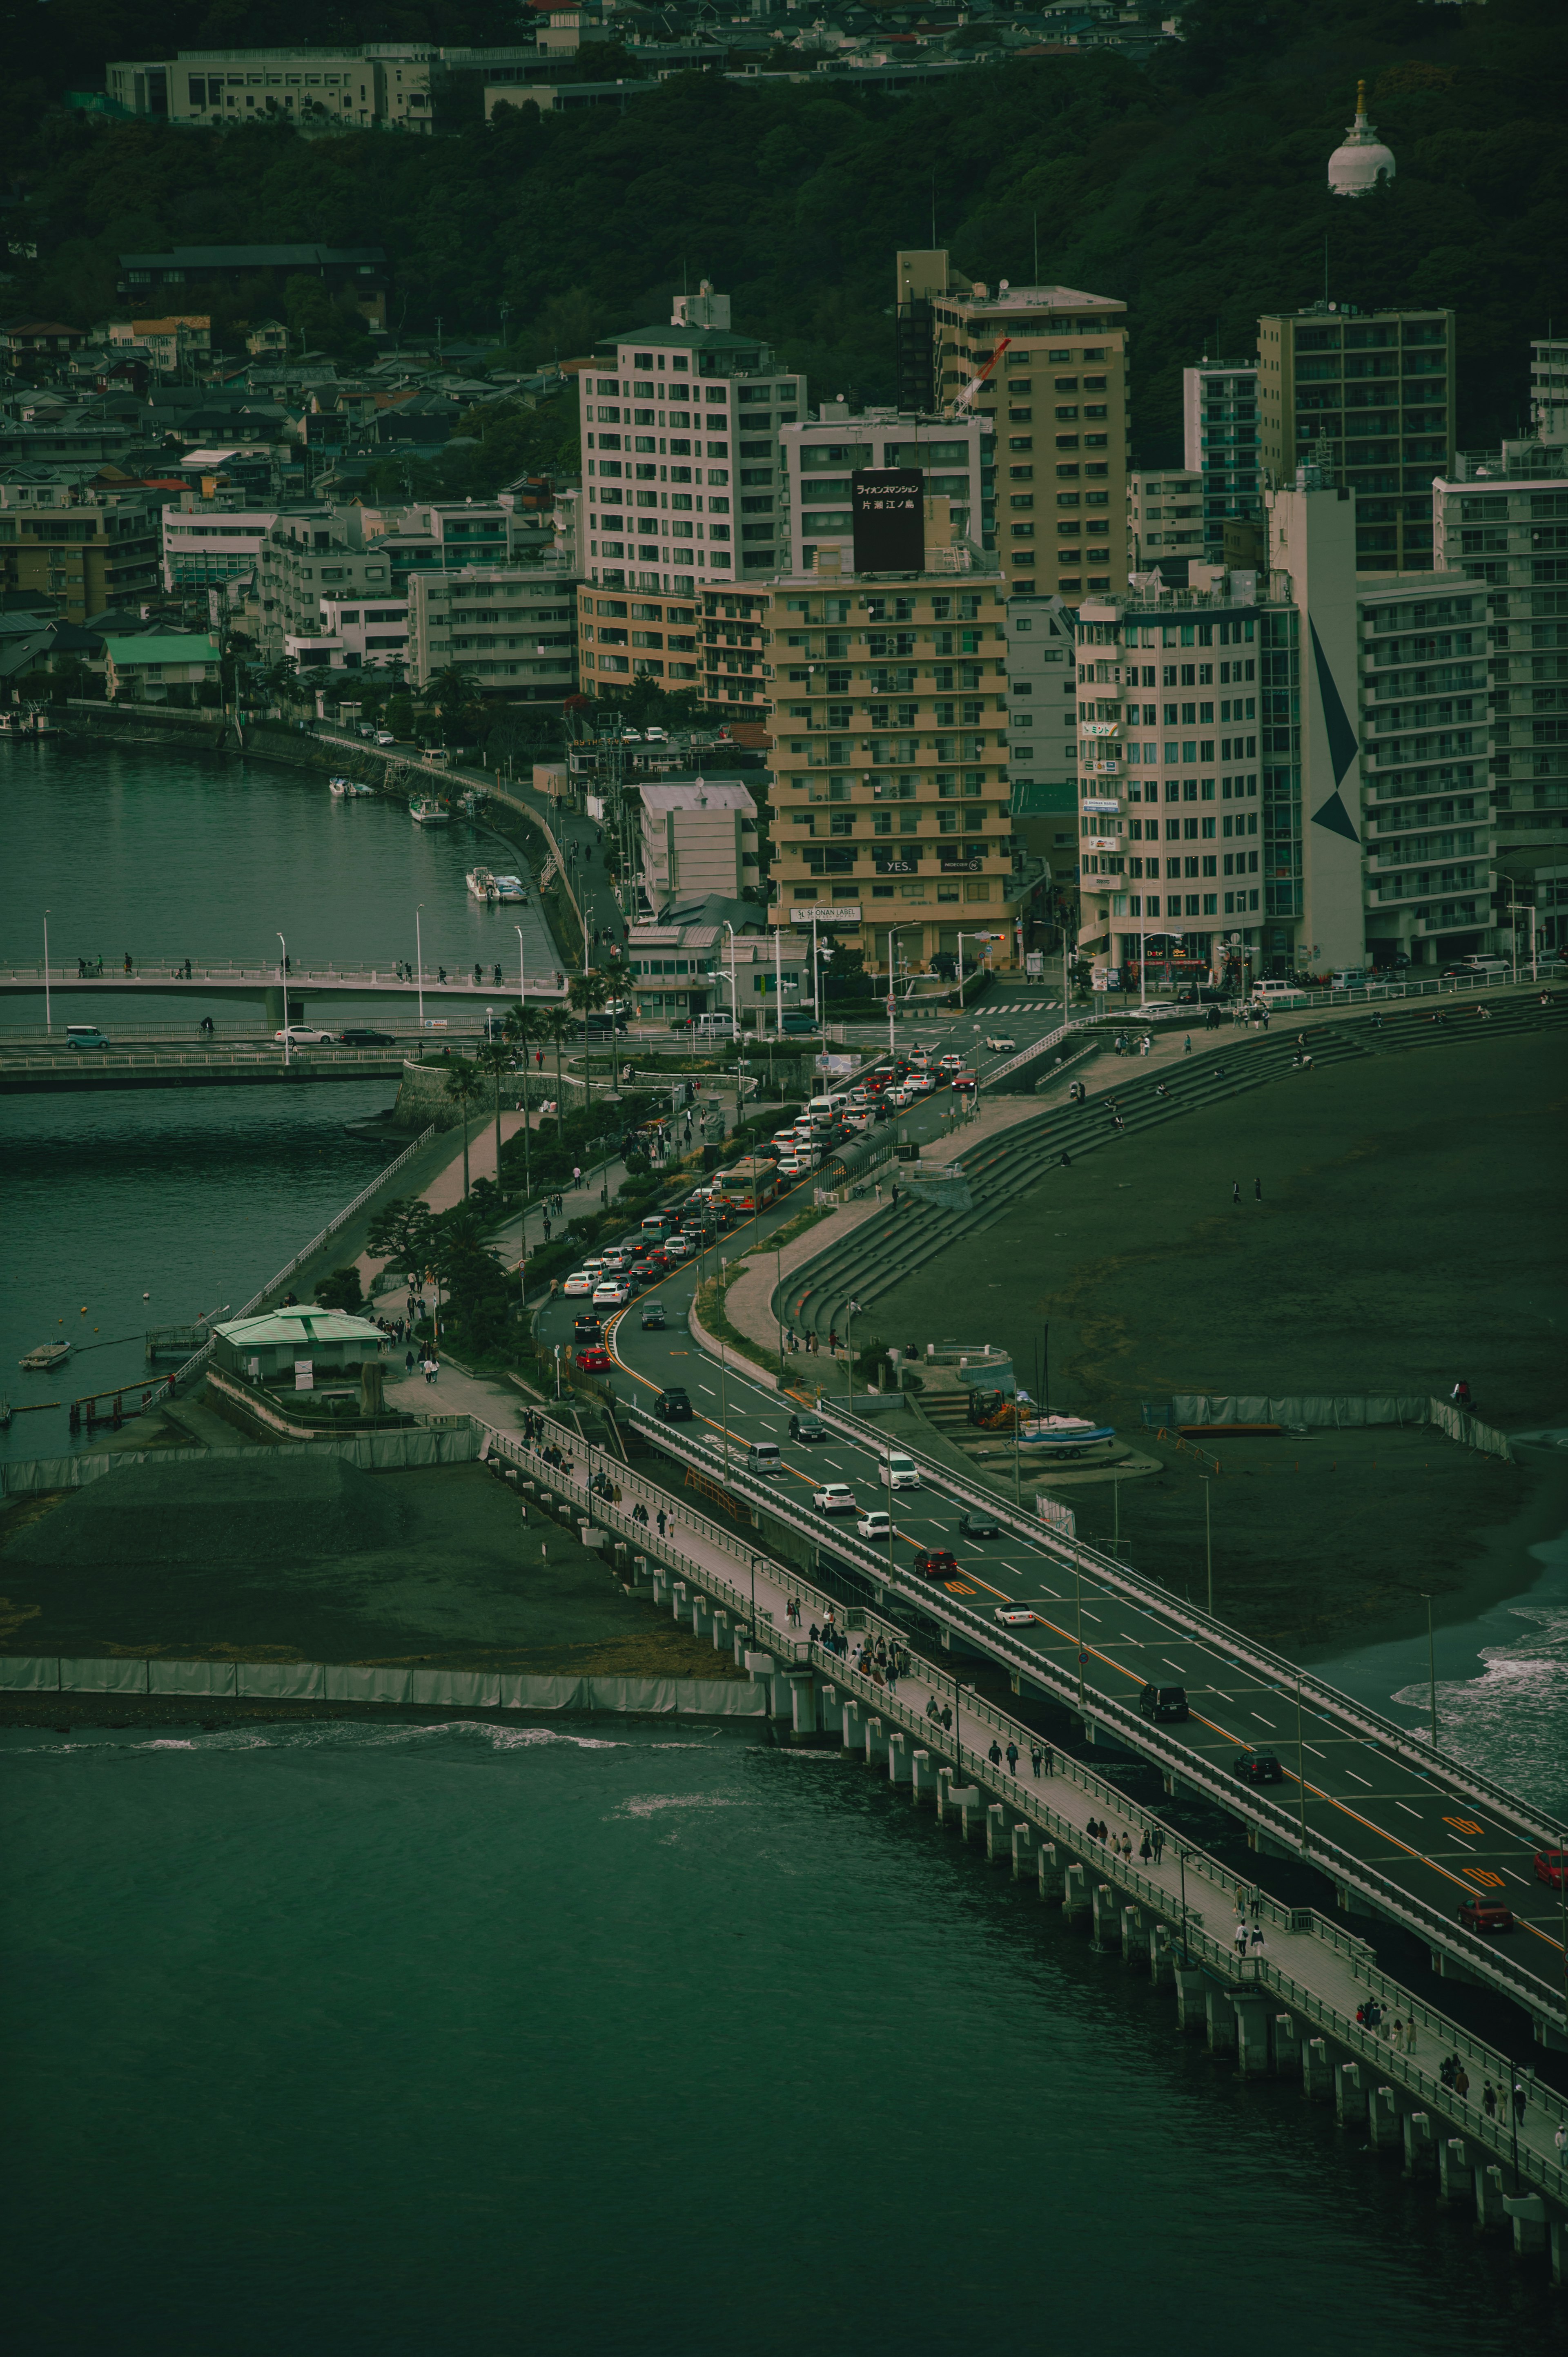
<point>668,418</point>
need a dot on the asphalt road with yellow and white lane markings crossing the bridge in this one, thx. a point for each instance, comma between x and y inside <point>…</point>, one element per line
<point>1411,1828</point>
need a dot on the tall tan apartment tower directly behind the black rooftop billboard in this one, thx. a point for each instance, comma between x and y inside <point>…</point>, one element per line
<point>1060,404</point>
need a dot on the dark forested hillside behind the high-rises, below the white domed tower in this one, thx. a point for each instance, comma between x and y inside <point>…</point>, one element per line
<point>1194,190</point>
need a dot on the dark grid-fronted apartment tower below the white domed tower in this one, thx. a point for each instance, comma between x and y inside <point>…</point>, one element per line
<point>1369,397</point>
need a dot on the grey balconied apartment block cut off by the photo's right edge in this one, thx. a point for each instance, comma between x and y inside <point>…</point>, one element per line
<point>1506,522</point>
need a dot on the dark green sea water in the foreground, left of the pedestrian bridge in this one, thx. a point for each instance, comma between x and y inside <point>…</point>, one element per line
<point>631,2040</point>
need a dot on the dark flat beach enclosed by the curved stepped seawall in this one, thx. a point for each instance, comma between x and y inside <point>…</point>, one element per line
<point>1409,1234</point>
